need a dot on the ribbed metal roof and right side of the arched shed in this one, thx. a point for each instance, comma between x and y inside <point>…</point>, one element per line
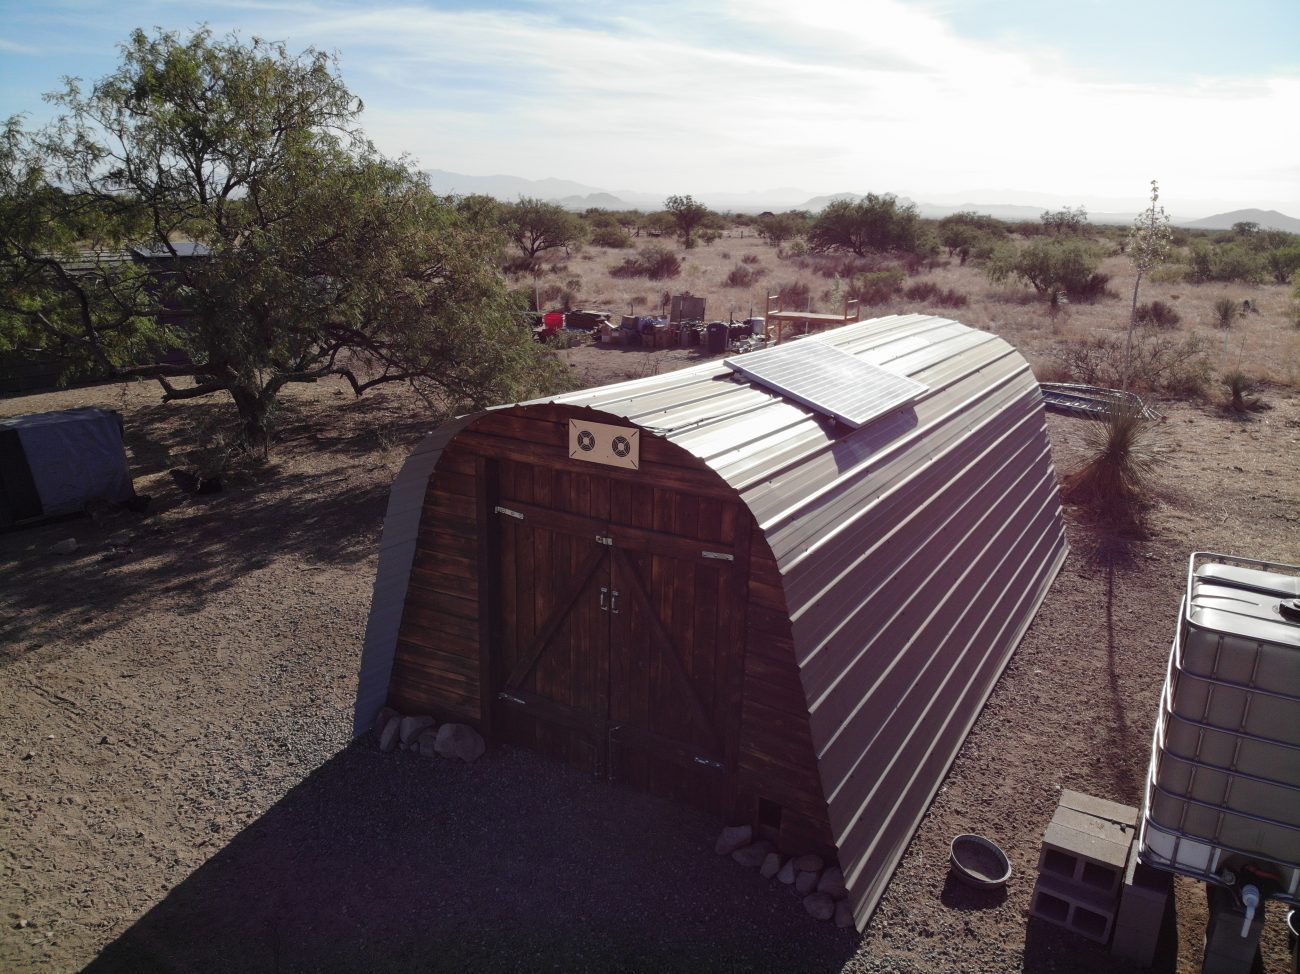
<point>912,555</point>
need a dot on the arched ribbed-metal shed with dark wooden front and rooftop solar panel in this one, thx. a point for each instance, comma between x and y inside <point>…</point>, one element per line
<point>779,588</point>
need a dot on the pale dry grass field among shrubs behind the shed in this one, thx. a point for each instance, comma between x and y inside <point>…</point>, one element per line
<point>1264,344</point>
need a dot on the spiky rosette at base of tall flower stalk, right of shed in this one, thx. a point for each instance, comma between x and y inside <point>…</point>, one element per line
<point>1115,480</point>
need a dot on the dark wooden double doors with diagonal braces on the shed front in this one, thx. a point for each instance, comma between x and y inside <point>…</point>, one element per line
<point>619,630</point>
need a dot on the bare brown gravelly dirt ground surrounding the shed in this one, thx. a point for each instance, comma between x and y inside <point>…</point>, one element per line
<point>180,791</point>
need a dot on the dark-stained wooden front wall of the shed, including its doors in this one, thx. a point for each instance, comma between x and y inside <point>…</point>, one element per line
<point>696,669</point>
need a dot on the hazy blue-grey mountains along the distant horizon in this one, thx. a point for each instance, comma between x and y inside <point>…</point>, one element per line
<point>578,197</point>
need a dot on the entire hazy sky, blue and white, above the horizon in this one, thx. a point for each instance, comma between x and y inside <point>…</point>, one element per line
<point>1084,102</point>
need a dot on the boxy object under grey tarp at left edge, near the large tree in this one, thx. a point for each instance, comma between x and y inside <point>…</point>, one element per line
<point>55,464</point>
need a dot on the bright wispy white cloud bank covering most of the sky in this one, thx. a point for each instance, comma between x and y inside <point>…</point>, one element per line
<point>749,94</point>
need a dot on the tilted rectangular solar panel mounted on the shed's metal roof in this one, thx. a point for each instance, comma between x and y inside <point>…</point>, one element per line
<point>829,380</point>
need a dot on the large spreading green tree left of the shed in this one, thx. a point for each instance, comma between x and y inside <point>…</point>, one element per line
<point>218,198</point>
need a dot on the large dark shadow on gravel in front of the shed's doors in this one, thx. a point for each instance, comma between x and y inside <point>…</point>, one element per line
<point>393,863</point>
